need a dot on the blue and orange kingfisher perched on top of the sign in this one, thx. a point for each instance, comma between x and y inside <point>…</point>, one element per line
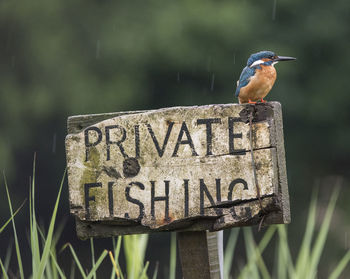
<point>258,77</point>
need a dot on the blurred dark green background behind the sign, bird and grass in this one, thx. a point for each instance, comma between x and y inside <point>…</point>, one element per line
<point>61,58</point>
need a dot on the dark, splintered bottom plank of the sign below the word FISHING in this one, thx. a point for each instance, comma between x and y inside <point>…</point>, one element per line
<point>245,214</point>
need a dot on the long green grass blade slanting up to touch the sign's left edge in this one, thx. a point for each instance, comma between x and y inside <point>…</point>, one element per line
<point>47,247</point>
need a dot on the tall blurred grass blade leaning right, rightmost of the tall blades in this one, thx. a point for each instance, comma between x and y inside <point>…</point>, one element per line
<point>322,236</point>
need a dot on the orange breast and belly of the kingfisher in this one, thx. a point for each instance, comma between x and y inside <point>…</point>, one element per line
<point>259,85</point>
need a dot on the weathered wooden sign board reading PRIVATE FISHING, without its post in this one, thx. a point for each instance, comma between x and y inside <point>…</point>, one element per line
<point>181,168</point>
